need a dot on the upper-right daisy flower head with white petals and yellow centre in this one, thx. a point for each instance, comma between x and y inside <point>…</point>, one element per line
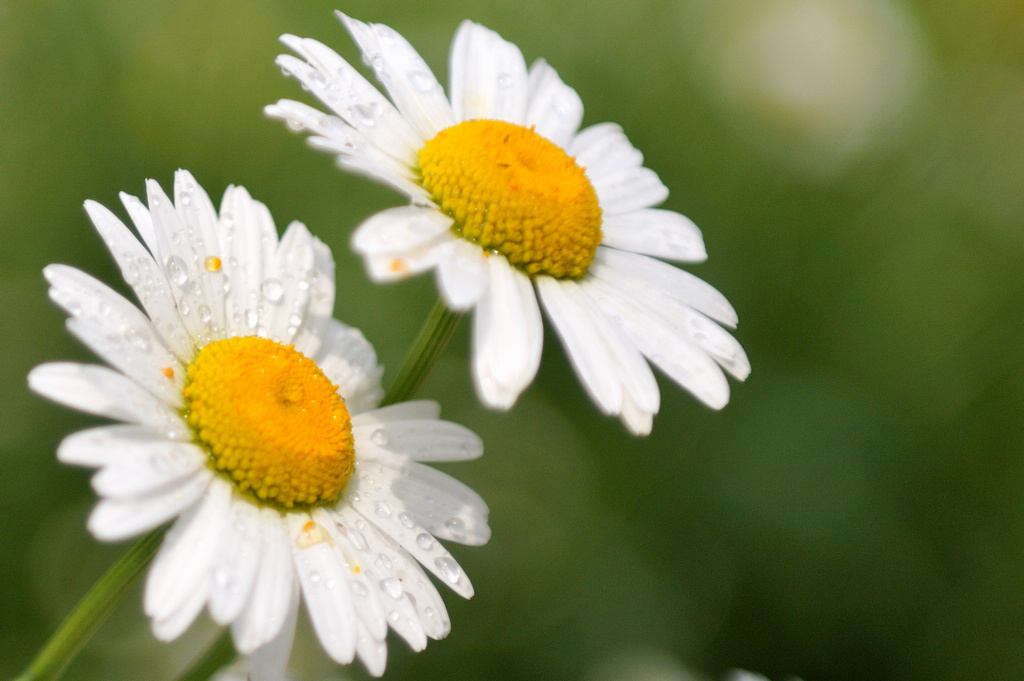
<point>511,203</point>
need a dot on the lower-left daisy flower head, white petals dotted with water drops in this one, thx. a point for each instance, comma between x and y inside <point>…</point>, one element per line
<point>249,416</point>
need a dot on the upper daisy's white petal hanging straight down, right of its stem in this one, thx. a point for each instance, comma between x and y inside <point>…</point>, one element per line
<point>507,336</point>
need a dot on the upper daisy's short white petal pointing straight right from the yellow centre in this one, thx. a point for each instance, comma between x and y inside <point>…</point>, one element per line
<point>659,233</point>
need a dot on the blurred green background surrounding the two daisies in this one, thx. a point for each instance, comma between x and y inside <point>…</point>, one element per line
<point>858,167</point>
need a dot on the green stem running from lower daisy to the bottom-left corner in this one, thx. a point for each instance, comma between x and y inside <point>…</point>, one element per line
<point>68,641</point>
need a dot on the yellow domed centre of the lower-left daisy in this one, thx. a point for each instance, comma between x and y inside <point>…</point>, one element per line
<point>272,421</point>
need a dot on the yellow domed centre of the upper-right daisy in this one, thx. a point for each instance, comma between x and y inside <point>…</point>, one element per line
<point>513,192</point>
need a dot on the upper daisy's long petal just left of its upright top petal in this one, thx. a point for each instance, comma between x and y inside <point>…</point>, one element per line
<point>408,78</point>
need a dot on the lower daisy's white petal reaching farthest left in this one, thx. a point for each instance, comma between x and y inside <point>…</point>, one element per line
<point>105,393</point>
